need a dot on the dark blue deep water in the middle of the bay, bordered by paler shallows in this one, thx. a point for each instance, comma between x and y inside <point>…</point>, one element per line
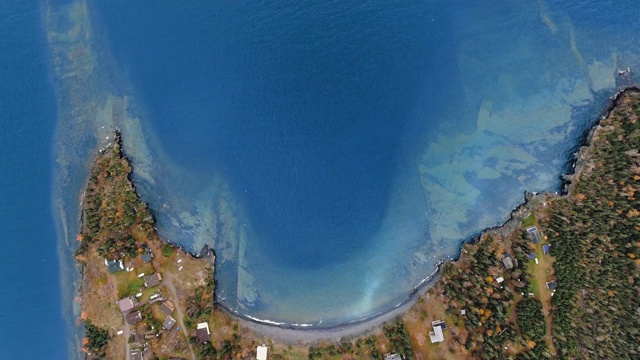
<point>279,96</point>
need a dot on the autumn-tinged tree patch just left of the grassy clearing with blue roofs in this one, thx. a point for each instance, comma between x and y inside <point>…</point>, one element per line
<point>472,285</point>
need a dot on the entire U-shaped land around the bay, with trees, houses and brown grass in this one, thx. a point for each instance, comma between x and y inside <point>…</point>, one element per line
<point>560,280</point>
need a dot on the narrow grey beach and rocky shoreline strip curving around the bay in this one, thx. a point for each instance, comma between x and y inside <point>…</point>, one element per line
<point>303,336</point>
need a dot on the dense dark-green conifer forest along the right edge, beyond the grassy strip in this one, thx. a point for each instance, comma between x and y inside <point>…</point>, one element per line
<point>595,232</point>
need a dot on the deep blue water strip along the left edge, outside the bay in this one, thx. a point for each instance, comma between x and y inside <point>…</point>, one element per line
<point>31,314</point>
